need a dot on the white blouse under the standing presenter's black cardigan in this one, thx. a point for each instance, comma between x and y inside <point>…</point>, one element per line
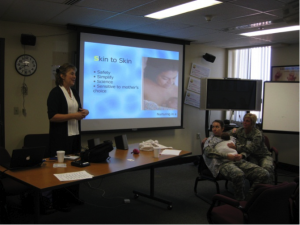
<point>73,128</point>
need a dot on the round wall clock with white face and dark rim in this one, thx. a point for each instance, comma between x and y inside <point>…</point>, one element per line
<point>26,65</point>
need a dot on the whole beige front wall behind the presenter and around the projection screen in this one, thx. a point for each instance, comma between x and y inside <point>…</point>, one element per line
<point>55,46</point>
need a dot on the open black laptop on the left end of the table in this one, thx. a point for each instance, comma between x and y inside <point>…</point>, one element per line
<point>22,158</point>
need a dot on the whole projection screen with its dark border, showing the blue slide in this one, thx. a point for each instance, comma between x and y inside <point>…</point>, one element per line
<point>129,83</point>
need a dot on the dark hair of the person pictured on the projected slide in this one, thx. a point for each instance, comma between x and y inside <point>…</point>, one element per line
<point>156,66</point>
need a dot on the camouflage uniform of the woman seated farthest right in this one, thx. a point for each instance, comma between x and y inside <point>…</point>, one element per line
<point>254,146</point>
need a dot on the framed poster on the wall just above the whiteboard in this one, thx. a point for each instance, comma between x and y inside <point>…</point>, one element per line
<point>285,73</point>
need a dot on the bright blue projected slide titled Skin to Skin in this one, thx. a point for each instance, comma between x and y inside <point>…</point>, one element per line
<point>115,85</point>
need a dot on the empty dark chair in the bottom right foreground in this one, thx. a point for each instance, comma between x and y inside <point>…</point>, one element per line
<point>269,205</point>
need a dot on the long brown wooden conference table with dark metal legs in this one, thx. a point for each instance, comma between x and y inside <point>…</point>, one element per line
<point>42,178</point>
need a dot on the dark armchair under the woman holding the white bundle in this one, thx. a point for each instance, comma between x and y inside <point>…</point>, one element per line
<point>205,174</point>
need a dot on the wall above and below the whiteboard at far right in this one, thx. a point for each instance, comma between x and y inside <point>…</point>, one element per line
<point>288,145</point>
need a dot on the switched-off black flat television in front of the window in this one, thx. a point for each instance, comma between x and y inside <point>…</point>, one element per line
<point>230,94</point>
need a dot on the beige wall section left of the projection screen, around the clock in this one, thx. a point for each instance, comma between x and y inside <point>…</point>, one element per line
<point>53,45</point>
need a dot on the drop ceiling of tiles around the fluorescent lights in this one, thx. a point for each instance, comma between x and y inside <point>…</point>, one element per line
<point>227,19</point>
